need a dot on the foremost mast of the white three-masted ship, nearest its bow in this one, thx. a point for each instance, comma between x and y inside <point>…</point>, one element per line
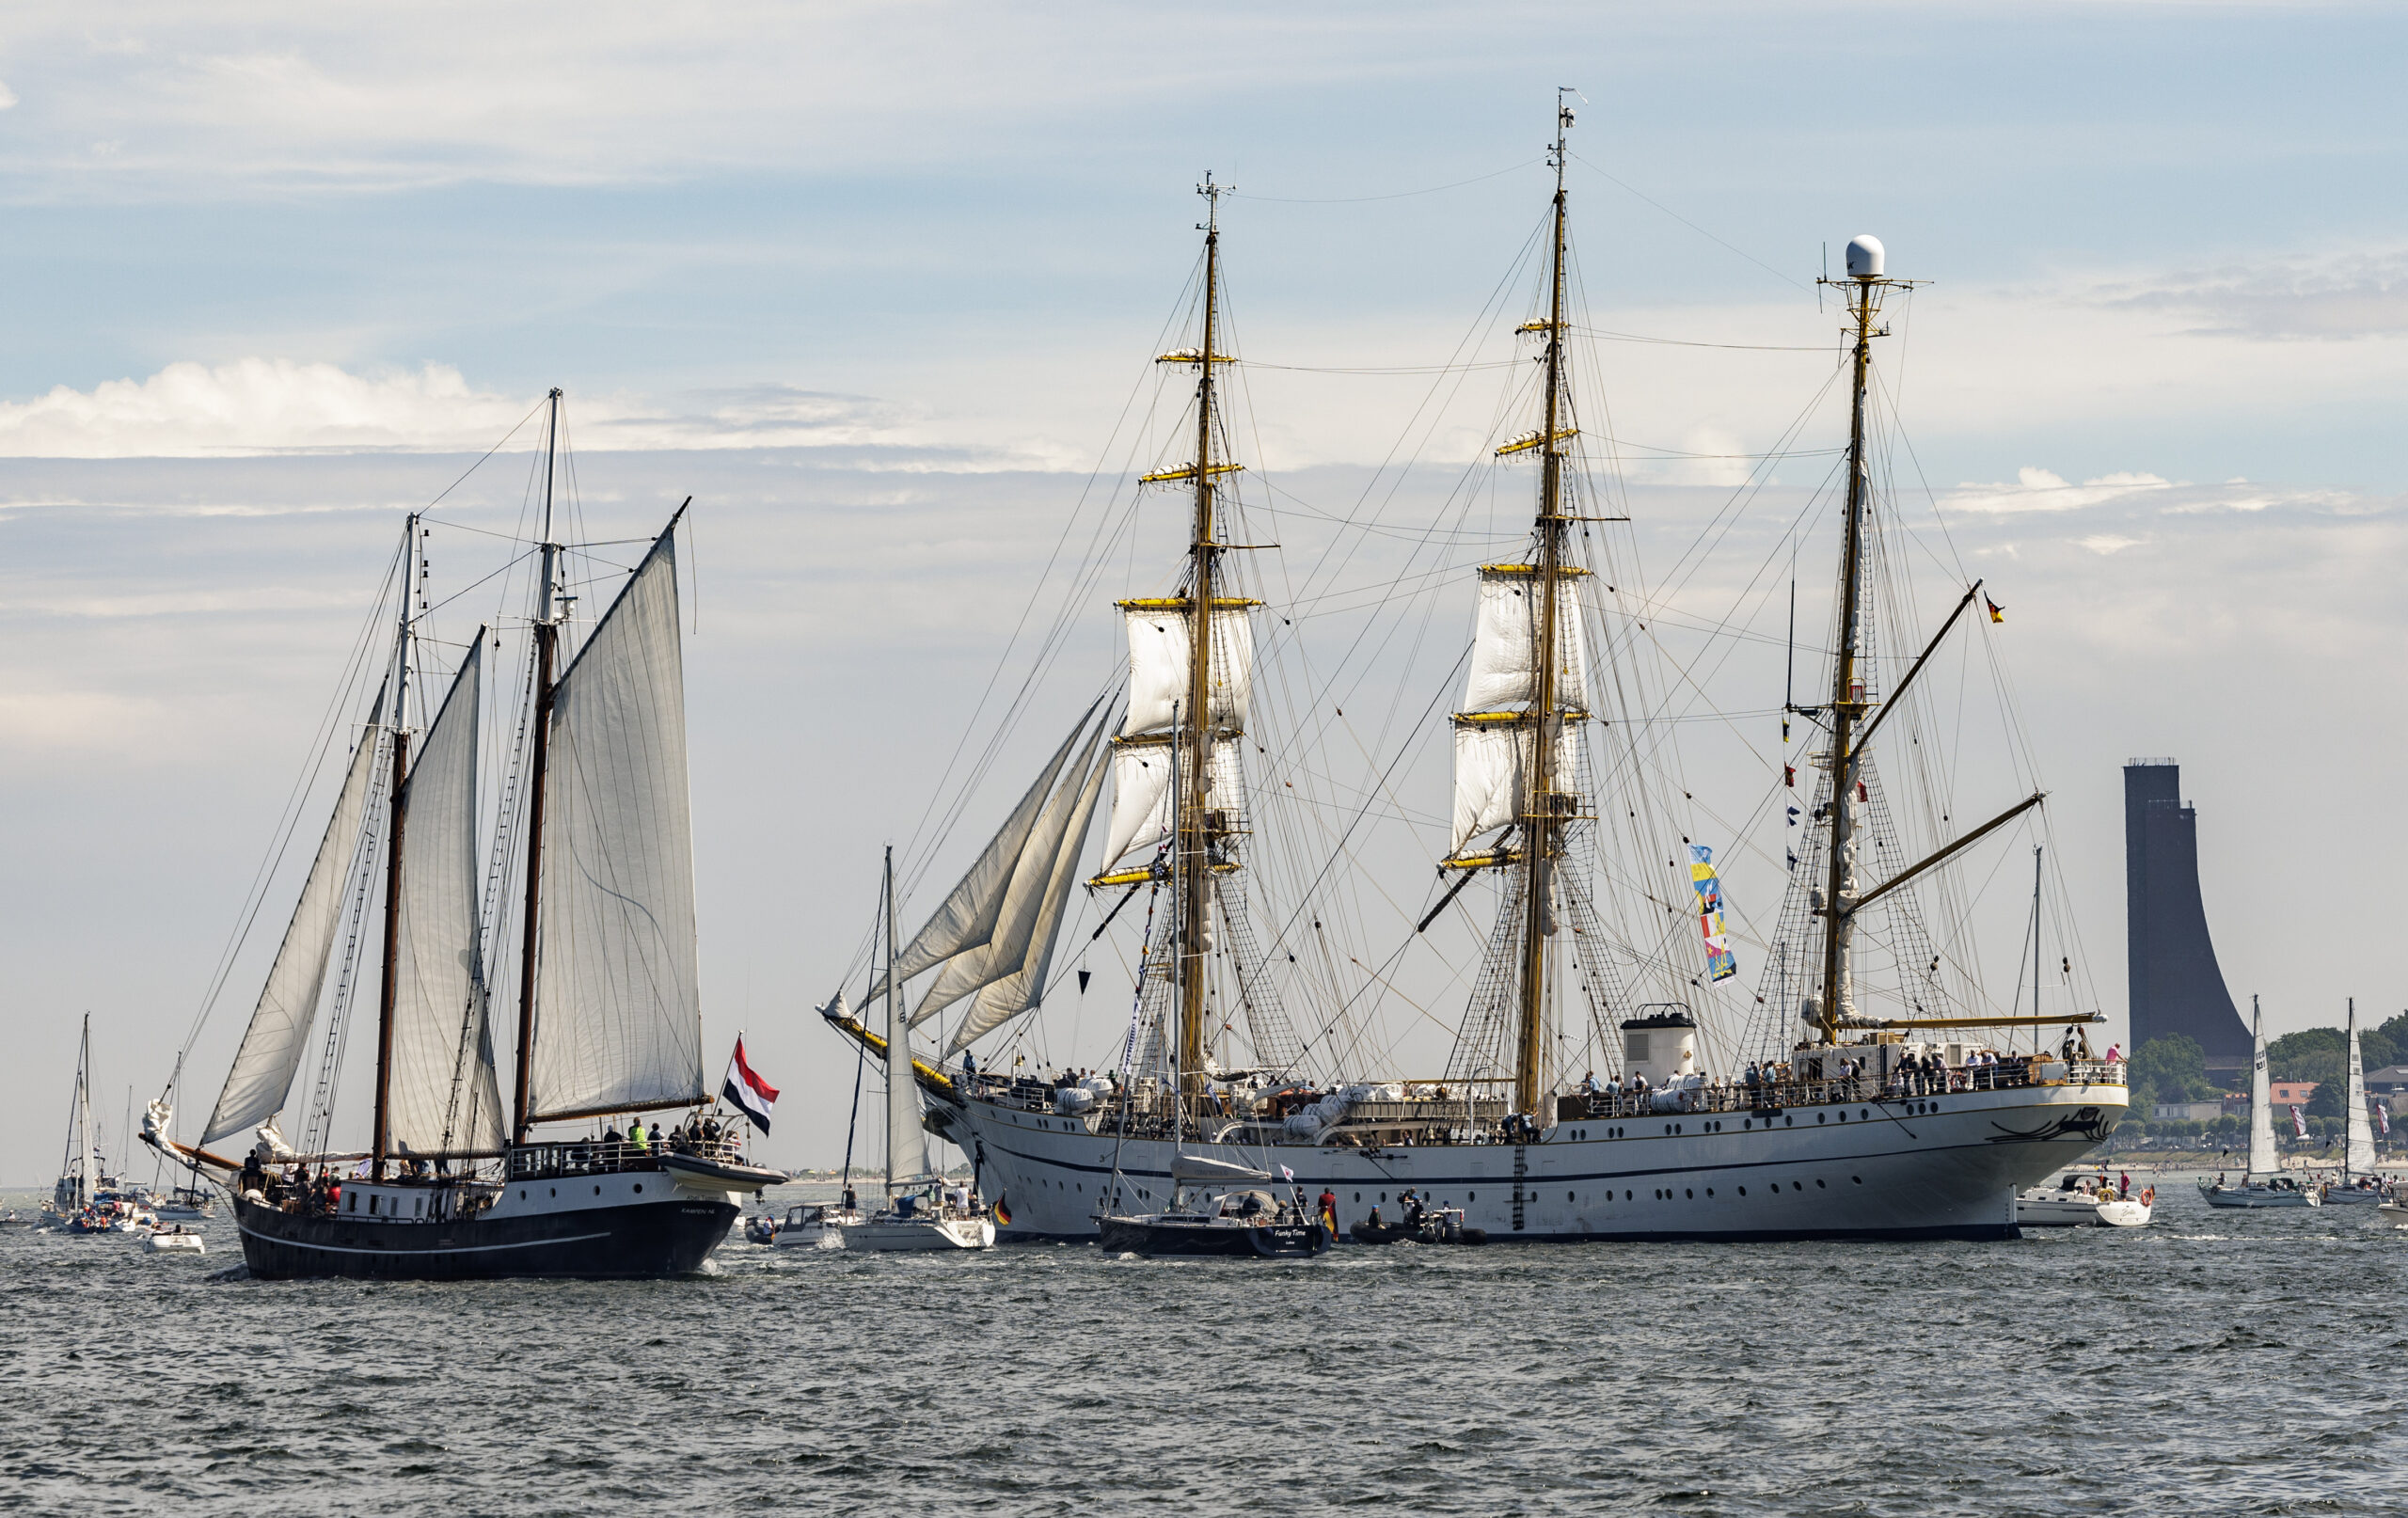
<point>1193,847</point>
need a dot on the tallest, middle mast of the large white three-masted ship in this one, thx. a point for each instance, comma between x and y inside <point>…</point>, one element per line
<point>1542,813</point>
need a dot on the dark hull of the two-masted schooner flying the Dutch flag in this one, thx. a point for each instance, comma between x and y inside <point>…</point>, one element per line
<point>635,1242</point>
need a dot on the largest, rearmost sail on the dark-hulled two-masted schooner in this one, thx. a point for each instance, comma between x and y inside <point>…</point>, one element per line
<point>618,1001</point>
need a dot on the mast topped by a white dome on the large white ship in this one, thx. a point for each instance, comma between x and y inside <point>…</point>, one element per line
<point>1848,702</point>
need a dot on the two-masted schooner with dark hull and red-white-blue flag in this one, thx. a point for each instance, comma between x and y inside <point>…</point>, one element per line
<point>579,876</point>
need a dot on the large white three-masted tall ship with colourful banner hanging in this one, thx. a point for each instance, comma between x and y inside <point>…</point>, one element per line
<point>1605,1081</point>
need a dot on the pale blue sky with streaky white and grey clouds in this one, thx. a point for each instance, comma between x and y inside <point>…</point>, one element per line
<point>880,288</point>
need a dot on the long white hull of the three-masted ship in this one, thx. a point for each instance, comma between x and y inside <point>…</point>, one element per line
<point>1932,1167</point>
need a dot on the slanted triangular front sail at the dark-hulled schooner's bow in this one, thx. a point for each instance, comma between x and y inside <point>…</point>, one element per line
<point>271,1054</point>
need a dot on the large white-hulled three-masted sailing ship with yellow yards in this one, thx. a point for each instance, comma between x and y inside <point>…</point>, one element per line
<point>1848,1122</point>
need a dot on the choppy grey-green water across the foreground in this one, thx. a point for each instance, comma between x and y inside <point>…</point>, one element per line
<point>2217,1363</point>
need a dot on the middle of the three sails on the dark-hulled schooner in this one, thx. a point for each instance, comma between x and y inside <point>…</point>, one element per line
<point>444,1093</point>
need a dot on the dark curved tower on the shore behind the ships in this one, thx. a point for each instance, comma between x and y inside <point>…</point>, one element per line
<point>2176,982</point>
